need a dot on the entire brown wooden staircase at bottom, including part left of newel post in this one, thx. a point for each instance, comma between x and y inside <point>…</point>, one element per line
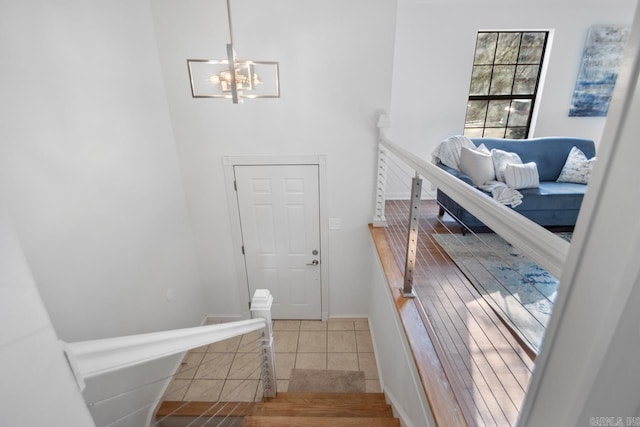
<point>289,410</point>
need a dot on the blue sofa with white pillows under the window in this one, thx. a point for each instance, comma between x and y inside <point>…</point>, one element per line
<point>552,203</point>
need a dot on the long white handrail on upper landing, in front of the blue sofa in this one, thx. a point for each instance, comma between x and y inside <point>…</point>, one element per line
<point>541,245</point>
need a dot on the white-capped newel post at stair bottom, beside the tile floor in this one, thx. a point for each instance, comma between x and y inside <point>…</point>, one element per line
<point>261,309</point>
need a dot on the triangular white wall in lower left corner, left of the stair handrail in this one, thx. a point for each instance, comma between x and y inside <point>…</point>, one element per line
<point>37,386</point>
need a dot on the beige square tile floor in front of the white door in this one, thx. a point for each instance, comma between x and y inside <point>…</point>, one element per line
<point>228,370</point>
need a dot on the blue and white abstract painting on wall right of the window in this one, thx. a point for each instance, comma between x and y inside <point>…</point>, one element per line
<point>601,59</point>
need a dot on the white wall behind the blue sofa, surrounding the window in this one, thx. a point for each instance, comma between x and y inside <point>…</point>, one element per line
<point>434,48</point>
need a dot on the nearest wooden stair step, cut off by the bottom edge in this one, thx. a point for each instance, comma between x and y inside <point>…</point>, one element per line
<point>283,421</point>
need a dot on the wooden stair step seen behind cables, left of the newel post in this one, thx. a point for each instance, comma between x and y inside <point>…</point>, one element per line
<point>196,409</point>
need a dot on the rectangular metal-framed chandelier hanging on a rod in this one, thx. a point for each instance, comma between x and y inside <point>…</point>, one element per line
<point>233,78</point>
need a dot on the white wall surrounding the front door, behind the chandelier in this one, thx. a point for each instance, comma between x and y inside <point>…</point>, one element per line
<point>335,70</point>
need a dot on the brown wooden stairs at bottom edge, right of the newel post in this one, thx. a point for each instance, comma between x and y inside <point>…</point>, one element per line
<point>323,409</point>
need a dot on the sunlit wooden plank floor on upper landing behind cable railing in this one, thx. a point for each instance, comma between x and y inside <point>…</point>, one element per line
<point>487,367</point>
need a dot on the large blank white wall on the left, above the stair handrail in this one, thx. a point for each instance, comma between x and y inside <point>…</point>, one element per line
<point>88,168</point>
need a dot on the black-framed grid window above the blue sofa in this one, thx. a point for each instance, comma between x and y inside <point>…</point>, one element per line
<point>504,83</point>
